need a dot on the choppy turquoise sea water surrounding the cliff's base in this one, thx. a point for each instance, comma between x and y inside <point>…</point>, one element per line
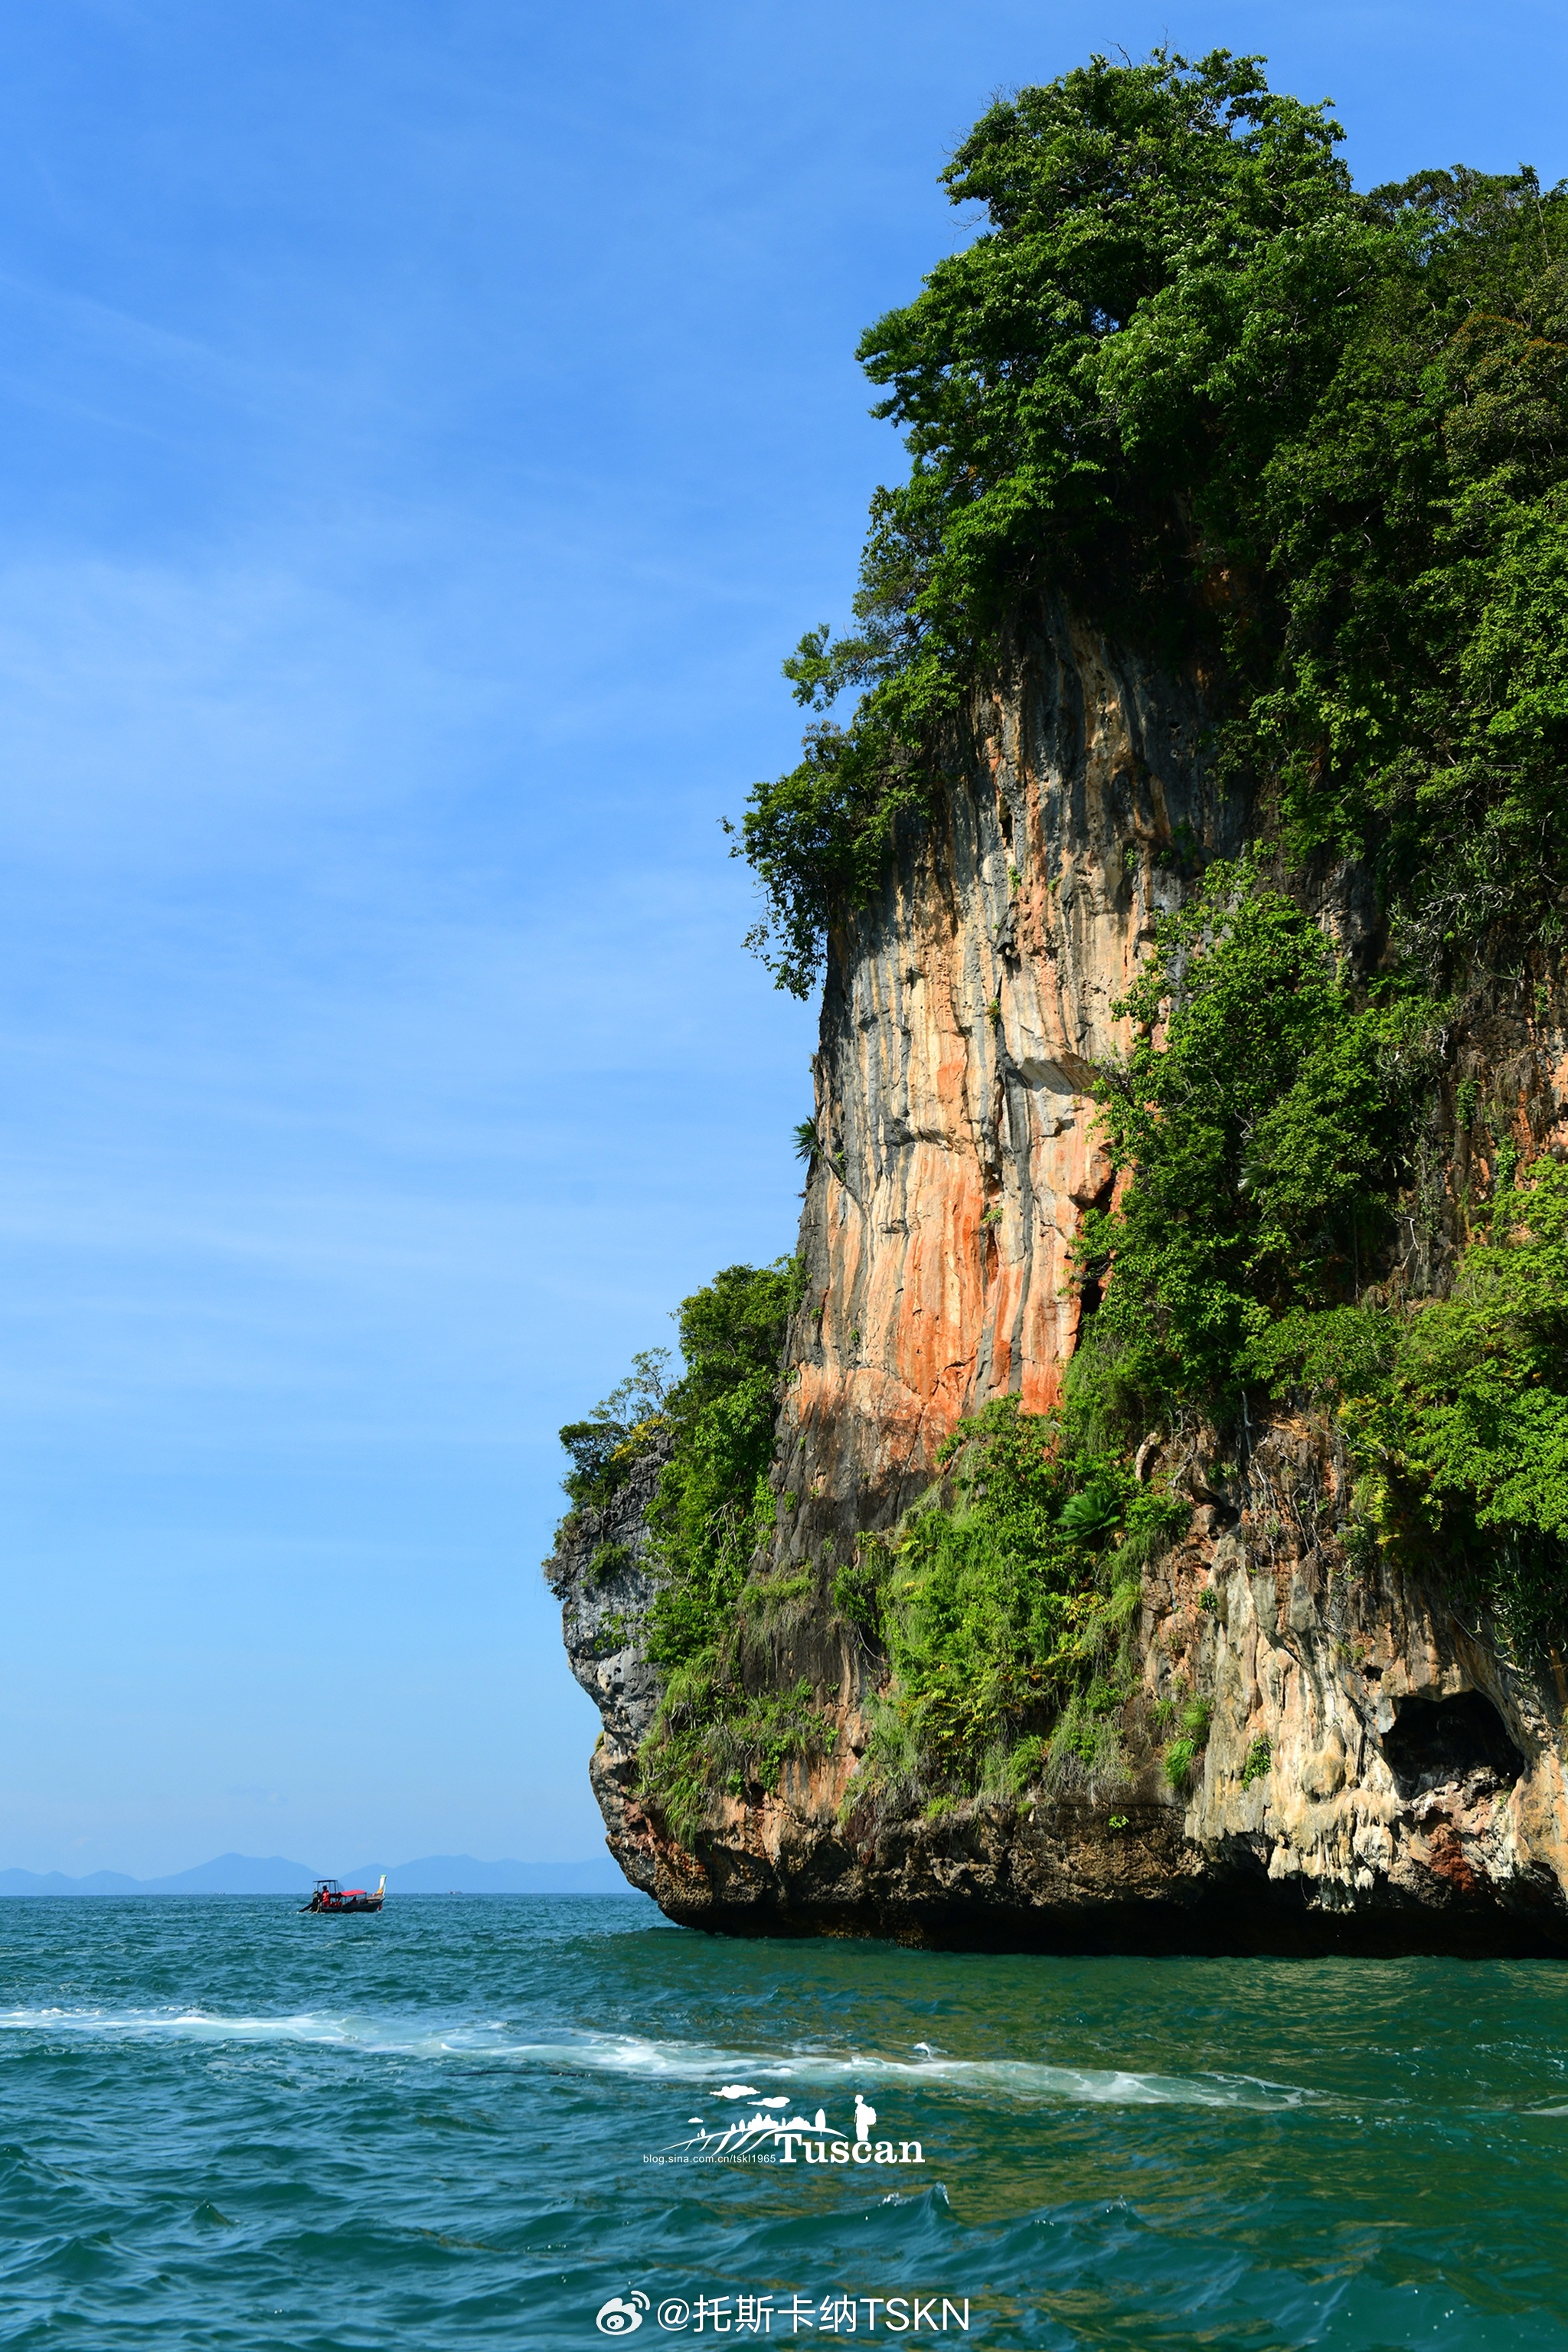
<point>232,2127</point>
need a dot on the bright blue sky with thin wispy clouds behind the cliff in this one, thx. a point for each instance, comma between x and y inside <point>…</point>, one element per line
<point>422,434</point>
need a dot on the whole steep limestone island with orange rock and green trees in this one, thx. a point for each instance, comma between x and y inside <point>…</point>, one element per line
<point>1134,1516</point>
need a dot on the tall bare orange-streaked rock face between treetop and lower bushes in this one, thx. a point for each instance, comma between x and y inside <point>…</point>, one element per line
<point>963,1017</point>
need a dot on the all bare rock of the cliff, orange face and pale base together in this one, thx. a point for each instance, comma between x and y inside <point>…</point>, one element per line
<point>1376,1777</point>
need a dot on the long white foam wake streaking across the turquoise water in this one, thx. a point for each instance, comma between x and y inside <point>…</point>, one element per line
<point>1017,2080</point>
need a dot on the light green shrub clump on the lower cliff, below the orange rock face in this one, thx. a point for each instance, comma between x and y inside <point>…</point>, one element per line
<point>1005,1605</point>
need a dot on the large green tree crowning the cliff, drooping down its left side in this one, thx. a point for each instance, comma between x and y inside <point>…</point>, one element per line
<point>1160,295</point>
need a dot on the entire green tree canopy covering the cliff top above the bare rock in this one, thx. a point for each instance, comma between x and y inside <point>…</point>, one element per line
<point>1224,403</point>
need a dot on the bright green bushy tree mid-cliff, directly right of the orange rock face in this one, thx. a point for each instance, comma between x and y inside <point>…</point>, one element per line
<point>1264,1118</point>
